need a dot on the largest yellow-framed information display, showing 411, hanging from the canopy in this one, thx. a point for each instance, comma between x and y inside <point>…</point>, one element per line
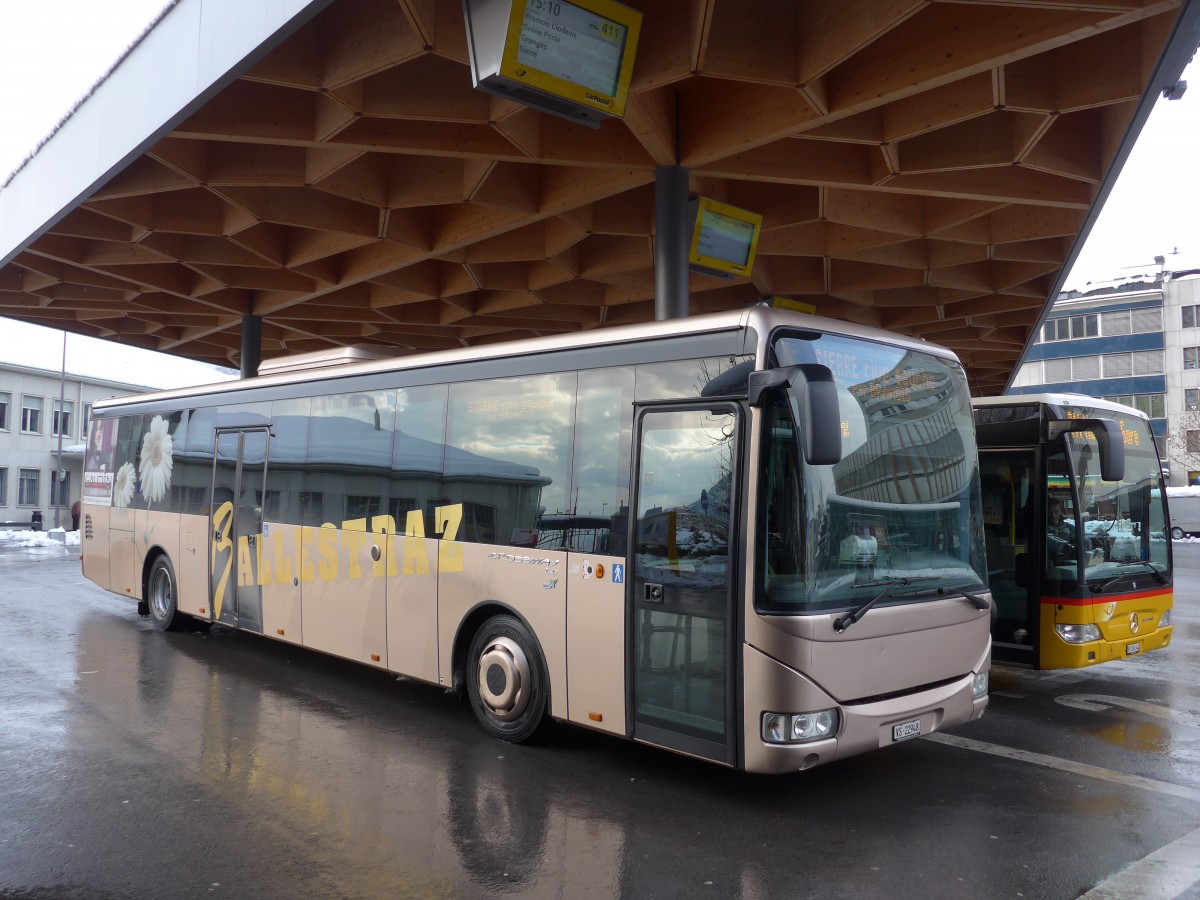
<point>571,59</point>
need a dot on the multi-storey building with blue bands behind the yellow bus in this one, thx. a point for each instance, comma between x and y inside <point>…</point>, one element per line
<point>1138,345</point>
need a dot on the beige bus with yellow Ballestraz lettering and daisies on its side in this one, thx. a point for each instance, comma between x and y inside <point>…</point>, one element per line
<point>754,538</point>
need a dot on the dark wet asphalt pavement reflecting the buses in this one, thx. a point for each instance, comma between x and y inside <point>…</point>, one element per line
<point>213,764</point>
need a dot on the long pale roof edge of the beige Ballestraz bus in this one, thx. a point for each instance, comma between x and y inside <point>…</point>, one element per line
<point>760,319</point>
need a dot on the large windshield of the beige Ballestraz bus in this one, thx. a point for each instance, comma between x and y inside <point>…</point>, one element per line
<point>901,513</point>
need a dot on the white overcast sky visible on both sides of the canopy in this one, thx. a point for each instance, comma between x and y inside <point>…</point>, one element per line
<point>52,52</point>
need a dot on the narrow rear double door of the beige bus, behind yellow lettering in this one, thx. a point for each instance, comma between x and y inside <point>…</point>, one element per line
<point>236,527</point>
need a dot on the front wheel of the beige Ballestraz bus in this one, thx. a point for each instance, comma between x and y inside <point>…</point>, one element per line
<point>507,680</point>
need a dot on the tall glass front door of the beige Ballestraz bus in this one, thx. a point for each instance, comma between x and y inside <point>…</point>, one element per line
<point>681,623</point>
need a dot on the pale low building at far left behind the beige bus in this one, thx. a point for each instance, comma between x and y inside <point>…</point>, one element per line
<point>39,484</point>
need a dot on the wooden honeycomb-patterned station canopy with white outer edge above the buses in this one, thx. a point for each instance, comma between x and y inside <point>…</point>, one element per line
<point>923,167</point>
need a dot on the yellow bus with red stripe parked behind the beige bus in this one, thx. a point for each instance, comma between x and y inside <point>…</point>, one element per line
<point>1076,520</point>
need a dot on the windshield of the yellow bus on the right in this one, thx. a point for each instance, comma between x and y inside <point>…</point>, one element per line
<point>1124,523</point>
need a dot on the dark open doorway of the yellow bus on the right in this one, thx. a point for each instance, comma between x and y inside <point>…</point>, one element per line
<point>1013,548</point>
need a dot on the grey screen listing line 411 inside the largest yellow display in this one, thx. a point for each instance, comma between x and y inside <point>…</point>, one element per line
<point>575,45</point>
